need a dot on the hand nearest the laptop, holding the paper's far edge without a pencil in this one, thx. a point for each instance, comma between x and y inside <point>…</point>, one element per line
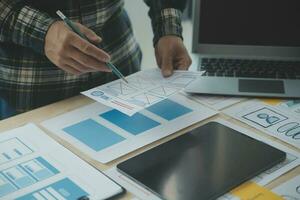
<point>171,54</point>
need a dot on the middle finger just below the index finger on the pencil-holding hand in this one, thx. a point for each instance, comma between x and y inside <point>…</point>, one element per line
<point>88,61</point>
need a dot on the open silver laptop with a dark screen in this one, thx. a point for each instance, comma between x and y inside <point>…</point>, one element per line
<point>247,47</point>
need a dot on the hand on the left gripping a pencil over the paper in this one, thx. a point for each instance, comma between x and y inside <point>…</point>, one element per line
<point>73,54</point>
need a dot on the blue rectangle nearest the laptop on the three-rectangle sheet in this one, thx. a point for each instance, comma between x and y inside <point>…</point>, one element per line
<point>168,109</point>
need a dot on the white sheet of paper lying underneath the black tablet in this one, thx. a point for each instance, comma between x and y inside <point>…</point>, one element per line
<point>292,161</point>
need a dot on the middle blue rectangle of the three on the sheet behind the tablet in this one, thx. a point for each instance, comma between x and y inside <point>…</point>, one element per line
<point>134,124</point>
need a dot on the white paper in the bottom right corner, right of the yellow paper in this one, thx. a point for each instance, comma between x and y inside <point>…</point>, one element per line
<point>289,190</point>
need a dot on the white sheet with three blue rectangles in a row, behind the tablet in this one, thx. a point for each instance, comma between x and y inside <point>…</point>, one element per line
<point>106,134</point>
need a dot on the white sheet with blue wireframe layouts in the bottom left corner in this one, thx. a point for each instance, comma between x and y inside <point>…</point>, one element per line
<point>34,166</point>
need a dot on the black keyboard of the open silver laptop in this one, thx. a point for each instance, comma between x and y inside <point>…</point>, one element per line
<point>251,68</point>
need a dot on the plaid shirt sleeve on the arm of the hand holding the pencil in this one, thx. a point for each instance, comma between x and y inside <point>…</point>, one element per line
<point>23,25</point>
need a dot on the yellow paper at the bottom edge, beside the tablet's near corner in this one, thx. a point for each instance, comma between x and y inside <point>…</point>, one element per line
<point>252,191</point>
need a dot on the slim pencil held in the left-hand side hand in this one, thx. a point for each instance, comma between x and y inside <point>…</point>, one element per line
<point>74,28</point>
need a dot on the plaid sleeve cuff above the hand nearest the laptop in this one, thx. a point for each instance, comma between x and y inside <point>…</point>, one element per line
<point>166,17</point>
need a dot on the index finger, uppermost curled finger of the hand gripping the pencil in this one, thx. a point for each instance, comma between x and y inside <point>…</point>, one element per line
<point>88,48</point>
